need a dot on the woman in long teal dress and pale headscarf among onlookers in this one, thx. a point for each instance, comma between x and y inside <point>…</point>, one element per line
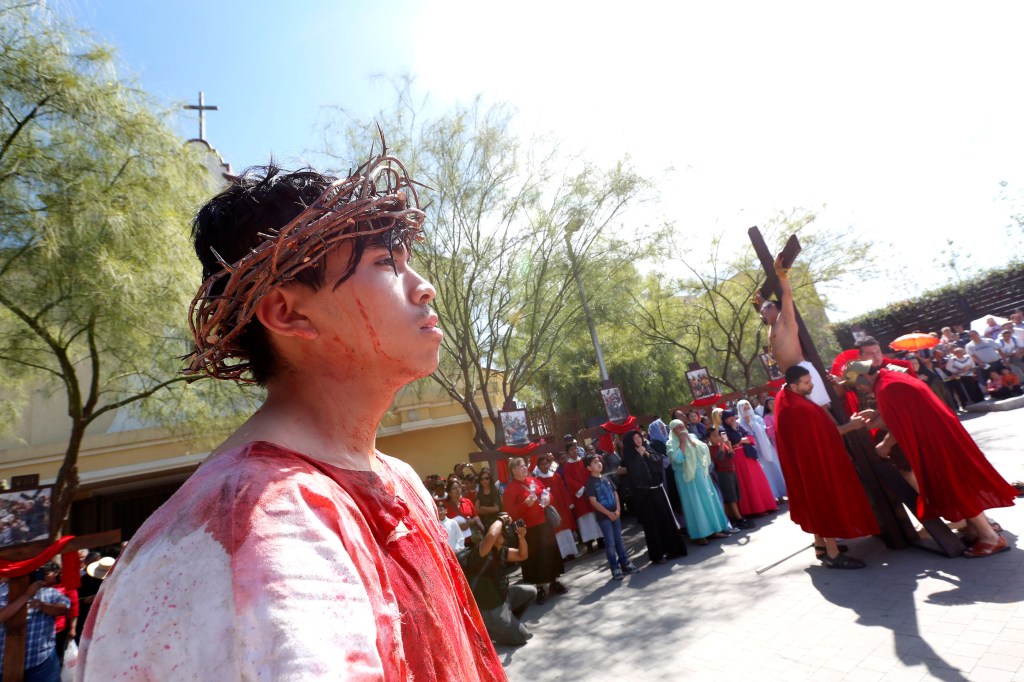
<point>703,507</point>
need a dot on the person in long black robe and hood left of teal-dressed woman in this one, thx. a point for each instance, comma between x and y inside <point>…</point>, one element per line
<point>651,502</point>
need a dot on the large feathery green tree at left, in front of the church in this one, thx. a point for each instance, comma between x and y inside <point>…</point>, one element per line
<point>96,195</point>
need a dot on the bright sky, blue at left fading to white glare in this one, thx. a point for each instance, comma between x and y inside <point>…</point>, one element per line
<point>901,119</point>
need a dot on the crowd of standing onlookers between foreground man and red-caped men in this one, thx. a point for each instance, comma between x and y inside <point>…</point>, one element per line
<point>702,478</point>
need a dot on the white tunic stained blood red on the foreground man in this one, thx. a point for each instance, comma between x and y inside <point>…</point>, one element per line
<point>307,572</point>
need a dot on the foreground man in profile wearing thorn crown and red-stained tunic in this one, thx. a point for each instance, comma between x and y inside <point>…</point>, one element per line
<point>298,551</point>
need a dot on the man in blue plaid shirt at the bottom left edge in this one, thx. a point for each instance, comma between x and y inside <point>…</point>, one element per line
<point>41,662</point>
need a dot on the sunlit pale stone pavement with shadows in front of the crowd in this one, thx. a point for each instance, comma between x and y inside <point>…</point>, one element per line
<point>910,616</point>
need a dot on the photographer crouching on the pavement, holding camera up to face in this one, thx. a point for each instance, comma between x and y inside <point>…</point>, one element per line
<point>501,605</point>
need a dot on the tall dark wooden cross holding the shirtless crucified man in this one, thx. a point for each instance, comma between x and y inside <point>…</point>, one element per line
<point>887,500</point>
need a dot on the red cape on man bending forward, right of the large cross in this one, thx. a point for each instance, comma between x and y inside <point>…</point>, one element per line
<point>956,480</point>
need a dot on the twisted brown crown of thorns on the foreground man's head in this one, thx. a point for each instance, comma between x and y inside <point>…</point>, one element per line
<point>377,198</point>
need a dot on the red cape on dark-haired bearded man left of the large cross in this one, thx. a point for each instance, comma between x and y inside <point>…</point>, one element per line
<point>826,495</point>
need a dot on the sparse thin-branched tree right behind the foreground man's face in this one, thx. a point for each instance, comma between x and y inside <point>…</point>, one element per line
<point>501,211</point>
